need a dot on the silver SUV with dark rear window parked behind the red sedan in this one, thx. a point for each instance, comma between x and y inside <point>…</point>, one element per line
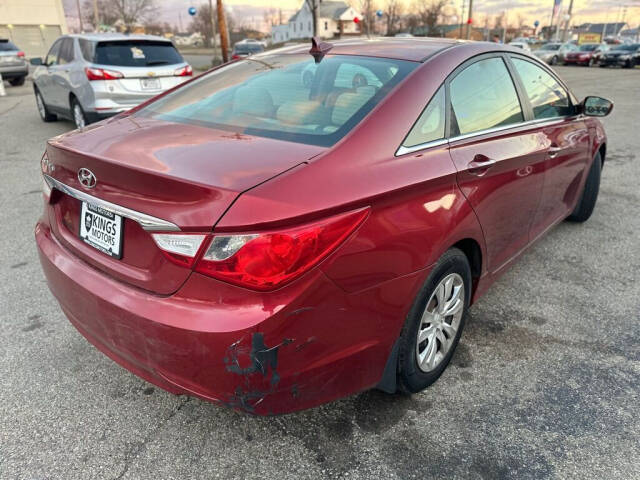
<point>90,77</point>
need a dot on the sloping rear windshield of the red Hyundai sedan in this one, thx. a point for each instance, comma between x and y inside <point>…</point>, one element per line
<point>285,96</point>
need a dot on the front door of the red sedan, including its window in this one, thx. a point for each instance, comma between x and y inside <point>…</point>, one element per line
<point>566,136</point>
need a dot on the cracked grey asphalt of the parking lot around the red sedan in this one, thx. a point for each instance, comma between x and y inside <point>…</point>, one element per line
<point>545,382</point>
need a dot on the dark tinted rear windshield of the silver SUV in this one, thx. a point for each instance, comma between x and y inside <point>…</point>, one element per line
<point>136,53</point>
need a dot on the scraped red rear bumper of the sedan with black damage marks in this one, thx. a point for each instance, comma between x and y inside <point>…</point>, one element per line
<point>303,345</point>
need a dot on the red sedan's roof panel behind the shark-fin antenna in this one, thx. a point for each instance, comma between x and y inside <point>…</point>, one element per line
<point>412,49</point>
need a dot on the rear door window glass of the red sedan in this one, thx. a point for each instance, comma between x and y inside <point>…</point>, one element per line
<point>483,96</point>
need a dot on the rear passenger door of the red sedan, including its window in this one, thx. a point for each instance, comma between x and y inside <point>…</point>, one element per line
<point>499,158</point>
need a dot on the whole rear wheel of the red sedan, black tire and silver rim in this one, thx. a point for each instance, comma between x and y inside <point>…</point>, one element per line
<point>434,324</point>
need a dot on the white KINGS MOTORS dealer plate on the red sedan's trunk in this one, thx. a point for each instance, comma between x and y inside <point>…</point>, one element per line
<point>102,229</point>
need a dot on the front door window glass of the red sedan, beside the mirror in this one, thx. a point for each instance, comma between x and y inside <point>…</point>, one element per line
<point>548,98</point>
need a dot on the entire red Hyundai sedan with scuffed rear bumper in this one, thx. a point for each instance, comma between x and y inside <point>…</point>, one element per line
<point>303,225</point>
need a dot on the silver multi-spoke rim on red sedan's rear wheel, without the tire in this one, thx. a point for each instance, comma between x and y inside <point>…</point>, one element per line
<point>440,322</point>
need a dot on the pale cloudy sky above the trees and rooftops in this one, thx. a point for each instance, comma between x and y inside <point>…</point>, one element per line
<point>251,11</point>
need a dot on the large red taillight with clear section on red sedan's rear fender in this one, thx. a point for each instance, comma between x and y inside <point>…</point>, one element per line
<point>266,261</point>
